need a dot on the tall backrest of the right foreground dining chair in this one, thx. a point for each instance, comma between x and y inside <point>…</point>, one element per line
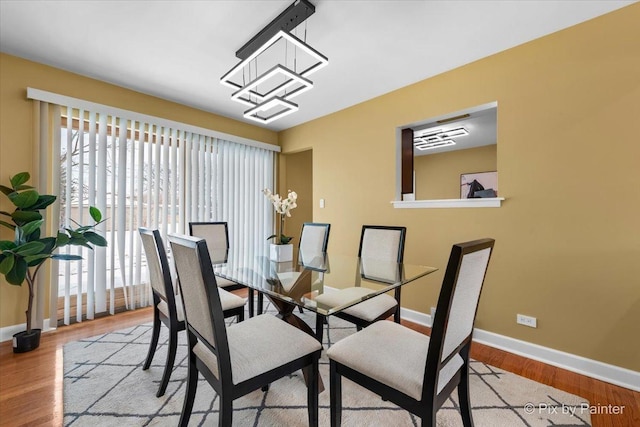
<point>457,306</point>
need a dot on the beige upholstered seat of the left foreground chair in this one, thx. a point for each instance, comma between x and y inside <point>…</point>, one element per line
<point>258,345</point>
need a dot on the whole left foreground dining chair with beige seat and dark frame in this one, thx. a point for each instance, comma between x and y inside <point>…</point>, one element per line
<point>242,357</point>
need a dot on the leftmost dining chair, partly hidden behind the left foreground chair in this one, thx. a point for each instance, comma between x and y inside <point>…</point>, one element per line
<point>167,305</point>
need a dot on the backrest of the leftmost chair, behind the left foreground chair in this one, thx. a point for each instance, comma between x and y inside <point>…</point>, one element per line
<point>159,272</point>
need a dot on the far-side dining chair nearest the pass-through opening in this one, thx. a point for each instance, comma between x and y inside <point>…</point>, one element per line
<point>377,243</point>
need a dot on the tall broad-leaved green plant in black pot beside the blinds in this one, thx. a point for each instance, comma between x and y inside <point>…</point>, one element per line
<point>22,257</point>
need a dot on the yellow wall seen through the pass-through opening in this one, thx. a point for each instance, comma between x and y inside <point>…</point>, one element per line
<point>438,175</point>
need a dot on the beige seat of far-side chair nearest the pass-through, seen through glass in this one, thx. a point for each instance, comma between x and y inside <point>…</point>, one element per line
<point>368,310</point>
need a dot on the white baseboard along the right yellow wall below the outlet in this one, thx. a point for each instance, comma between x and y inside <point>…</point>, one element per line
<point>592,368</point>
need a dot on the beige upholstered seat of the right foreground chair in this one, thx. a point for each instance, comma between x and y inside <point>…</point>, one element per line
<point>399,363</point>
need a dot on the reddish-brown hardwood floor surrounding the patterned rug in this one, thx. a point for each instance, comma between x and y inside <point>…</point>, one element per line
<point>31,383</point>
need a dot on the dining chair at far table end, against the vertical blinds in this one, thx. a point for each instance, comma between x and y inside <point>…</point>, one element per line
<point>217,236</point>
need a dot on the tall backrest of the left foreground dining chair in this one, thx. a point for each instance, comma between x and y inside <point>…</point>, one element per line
<point>201,300</point>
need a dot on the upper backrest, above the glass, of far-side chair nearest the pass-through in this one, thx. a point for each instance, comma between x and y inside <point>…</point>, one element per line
<point>385,243</point>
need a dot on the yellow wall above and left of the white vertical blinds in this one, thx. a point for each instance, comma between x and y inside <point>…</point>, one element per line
<point>16,140</point>
